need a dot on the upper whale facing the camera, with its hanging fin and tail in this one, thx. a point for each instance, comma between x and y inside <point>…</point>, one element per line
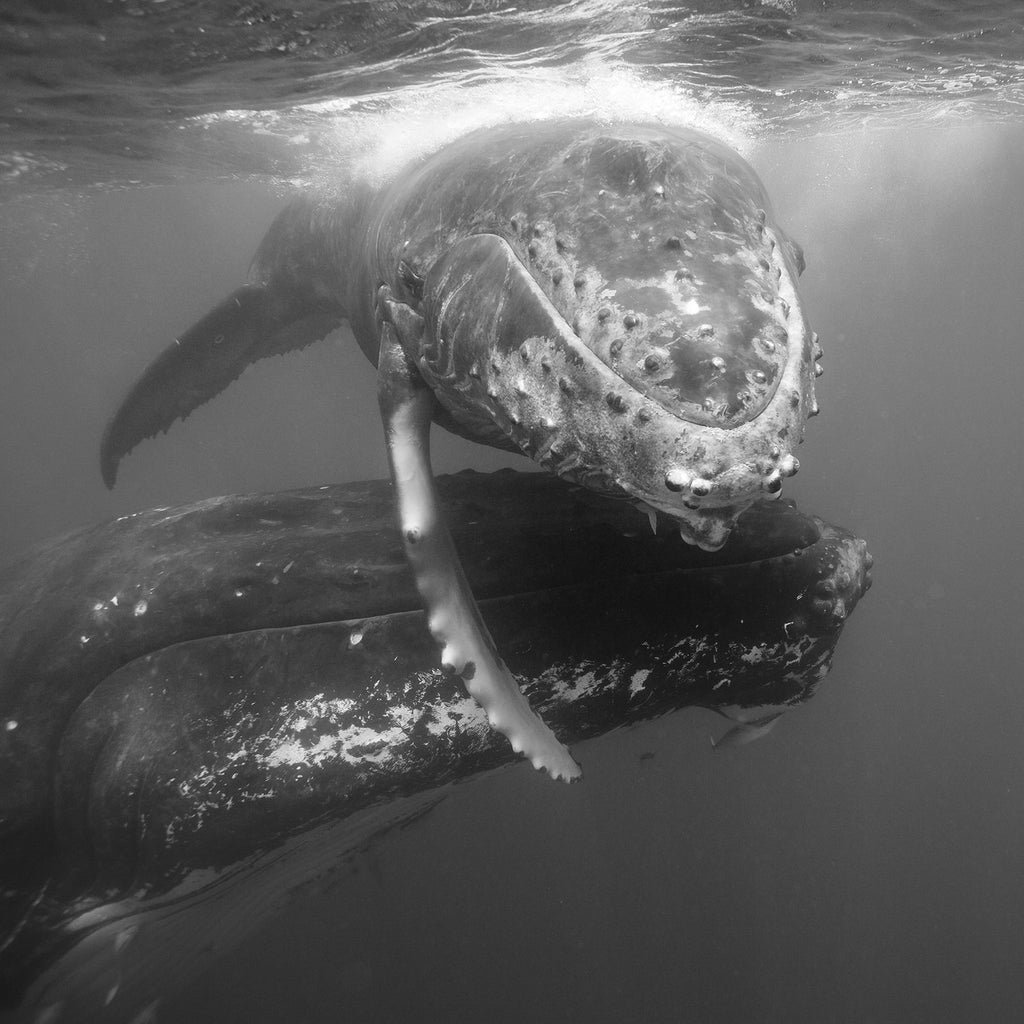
<point>614,302</point>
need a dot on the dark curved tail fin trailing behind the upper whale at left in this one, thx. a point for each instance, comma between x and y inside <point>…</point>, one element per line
<point>251,324</point>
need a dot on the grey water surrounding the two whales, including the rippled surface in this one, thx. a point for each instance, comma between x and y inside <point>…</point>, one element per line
<point>863,864</point>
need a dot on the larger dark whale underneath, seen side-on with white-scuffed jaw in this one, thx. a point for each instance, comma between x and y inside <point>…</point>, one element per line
<point>203,707</point>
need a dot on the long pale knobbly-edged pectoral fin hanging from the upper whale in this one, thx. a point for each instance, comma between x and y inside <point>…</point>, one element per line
<point>408,407</point>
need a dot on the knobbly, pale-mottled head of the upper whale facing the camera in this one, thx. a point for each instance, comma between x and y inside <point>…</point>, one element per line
<point>638,330</point>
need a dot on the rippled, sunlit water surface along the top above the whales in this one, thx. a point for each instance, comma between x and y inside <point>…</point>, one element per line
<point>139,91</point>
